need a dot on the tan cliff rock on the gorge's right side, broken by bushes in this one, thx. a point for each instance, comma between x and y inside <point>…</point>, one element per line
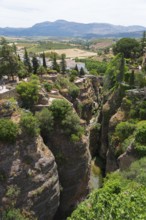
<point>135,96</point>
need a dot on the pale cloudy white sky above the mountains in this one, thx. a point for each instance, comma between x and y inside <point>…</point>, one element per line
<point>26,13</point>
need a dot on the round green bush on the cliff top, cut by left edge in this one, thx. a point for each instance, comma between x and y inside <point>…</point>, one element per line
<point>8,130</point>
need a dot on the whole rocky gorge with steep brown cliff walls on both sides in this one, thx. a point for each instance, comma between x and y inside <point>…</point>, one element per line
<point>46,177</point>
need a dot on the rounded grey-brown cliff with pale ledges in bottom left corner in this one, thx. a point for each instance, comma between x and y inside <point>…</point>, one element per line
<point>29,178</point>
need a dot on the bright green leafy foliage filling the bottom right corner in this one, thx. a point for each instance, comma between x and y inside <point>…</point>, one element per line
<point>123,196</point>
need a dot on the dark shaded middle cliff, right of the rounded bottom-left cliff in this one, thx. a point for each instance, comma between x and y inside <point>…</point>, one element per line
<point>73,161</point>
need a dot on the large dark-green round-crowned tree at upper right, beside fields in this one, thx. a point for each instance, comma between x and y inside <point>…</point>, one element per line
<point>128,47</point>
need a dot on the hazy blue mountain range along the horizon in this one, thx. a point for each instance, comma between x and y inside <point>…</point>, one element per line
<point>62,28</point>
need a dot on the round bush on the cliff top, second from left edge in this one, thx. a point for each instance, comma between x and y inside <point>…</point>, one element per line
<point>29,125</point>
